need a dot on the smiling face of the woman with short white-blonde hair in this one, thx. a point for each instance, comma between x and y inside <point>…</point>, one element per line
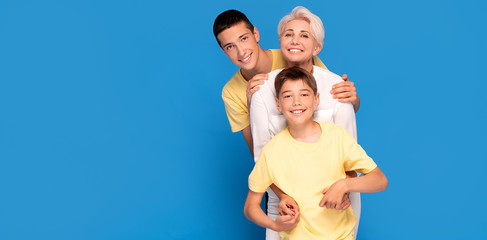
<point>298,46</point>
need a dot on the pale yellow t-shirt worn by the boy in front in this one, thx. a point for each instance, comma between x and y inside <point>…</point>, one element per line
<point>304,170</point>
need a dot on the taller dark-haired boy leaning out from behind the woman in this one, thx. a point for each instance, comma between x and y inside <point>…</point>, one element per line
<point>239,40</point>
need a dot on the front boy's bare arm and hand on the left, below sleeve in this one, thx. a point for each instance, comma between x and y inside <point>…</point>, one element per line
<point>255,214</point>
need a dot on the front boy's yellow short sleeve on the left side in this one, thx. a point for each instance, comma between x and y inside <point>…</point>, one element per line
<point>259,178</point>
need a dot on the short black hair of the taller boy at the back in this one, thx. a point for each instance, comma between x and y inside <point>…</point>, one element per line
<point>228,19</point>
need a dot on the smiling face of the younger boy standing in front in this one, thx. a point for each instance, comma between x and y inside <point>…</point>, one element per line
<point>297,101</point>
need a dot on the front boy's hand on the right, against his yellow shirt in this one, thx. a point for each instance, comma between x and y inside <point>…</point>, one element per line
<point>335,196</point>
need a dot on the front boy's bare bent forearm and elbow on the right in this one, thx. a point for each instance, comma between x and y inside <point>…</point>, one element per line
<point>374,181</point>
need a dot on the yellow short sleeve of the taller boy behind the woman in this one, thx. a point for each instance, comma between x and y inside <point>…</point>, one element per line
<point>237,111</point>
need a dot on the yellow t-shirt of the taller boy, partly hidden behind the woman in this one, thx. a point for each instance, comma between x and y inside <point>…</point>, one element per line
<point>235,97</point>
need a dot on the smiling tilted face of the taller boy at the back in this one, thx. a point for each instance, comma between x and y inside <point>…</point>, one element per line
<point>241,45</point>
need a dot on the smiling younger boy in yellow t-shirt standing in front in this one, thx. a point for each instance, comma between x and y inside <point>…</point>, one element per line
<point>308,161</point>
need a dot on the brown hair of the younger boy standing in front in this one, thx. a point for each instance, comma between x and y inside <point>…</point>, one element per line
<point>295,73</point>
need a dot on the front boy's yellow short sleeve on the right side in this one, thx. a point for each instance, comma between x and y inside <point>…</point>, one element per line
<point>354,156</point>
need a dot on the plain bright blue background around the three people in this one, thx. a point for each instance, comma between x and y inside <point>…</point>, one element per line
<point>112,125</point>
